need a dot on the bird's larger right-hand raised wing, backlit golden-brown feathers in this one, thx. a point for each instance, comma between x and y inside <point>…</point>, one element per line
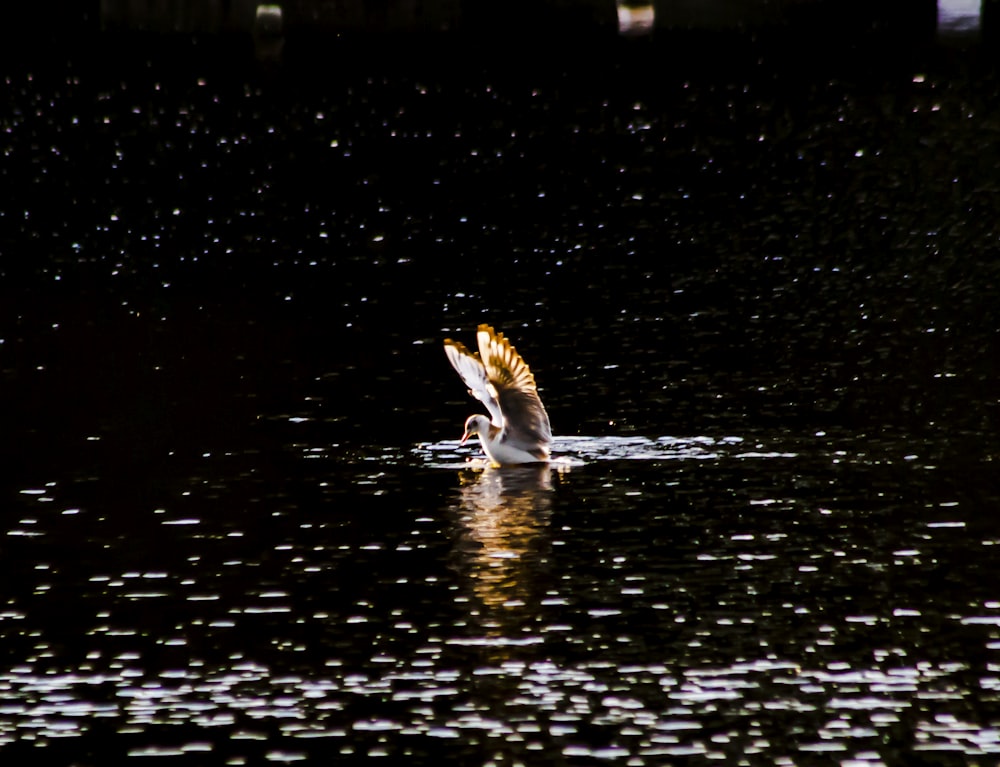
<point>511,383</point>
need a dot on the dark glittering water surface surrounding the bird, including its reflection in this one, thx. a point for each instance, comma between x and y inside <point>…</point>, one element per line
<point>762,308</point>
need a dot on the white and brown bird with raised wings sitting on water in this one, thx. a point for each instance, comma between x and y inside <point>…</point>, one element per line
<point>518,430</point>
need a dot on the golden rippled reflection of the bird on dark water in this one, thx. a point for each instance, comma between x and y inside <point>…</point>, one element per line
<point>501,543</point>
